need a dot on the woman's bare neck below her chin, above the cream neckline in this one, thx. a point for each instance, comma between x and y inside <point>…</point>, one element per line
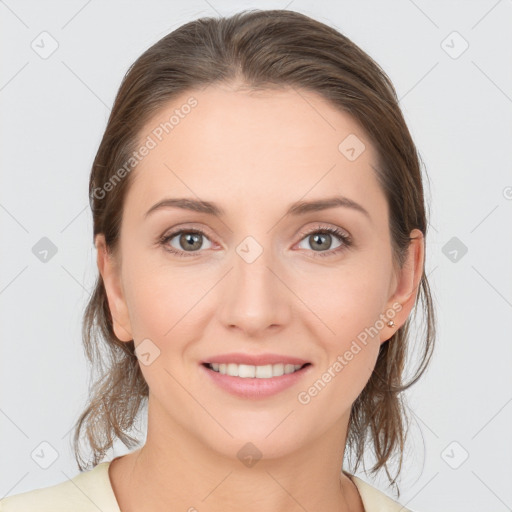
<point>182,473</point>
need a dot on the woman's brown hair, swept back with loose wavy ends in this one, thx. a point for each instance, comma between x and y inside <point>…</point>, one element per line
<point>260,49</point>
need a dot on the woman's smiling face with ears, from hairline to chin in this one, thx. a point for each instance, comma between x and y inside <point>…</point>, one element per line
<point>263,276</point>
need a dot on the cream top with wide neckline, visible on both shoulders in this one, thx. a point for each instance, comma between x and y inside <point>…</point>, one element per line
<point>91,491</point>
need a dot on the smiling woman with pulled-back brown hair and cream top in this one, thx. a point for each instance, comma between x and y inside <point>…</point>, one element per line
<point>260,229</point>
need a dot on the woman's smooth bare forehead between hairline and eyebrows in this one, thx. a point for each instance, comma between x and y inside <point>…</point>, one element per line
<point>240,147</point>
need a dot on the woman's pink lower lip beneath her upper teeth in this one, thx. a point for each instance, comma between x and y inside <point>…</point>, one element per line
<point>255,388</point>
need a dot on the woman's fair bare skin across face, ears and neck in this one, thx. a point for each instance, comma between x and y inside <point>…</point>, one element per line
<point>253,154</point>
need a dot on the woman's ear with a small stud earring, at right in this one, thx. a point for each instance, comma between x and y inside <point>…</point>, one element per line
<point>407,282</point>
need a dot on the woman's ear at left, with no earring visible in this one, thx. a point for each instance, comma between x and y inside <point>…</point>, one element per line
<point>109,270</point>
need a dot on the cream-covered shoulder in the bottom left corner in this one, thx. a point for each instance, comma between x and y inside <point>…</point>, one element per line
<point>88,491</point>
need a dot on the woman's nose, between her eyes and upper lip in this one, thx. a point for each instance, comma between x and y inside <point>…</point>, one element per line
<point>254,296</point>
